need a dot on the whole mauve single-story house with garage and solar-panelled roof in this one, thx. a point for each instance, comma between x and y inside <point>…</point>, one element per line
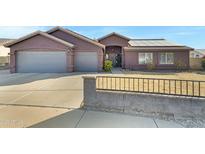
<point>61,50</point>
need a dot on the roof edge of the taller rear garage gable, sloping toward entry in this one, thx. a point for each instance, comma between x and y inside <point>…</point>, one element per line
<point>76,35</point>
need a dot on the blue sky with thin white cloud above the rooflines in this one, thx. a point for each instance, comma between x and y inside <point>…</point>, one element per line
<point>193,36</point>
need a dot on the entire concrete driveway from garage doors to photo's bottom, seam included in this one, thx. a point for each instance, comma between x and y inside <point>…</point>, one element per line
<point>29,98</point>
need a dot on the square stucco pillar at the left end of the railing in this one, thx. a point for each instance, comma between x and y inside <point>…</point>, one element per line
<point>89,90</point>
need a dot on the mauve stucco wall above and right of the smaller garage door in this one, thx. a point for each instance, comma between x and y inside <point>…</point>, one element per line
<point>81,45</point>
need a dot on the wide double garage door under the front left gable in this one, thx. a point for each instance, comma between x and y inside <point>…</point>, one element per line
<point>41,62</point>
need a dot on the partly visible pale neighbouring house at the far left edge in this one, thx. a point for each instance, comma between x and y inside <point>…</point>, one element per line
<point>4,52</point>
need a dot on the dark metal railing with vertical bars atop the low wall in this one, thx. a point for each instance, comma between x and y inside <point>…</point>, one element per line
<point>191,88</point>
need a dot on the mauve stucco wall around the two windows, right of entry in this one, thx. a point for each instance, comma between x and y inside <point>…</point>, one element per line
<point>131,59</point>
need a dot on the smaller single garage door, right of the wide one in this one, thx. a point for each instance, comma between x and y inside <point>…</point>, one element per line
<point>86,61</point>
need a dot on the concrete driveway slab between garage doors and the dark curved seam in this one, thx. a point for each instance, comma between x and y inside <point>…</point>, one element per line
<point>53,90</point>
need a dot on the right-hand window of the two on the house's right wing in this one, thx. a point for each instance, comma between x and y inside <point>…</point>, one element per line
<point>166,58</point>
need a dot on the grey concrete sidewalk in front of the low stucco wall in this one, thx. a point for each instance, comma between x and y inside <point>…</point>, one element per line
<point>95,119</point>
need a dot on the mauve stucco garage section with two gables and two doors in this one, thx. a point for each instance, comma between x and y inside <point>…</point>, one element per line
<point>55,51</point>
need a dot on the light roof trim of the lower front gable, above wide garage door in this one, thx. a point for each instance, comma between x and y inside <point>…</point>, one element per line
<point>39,33</point>
